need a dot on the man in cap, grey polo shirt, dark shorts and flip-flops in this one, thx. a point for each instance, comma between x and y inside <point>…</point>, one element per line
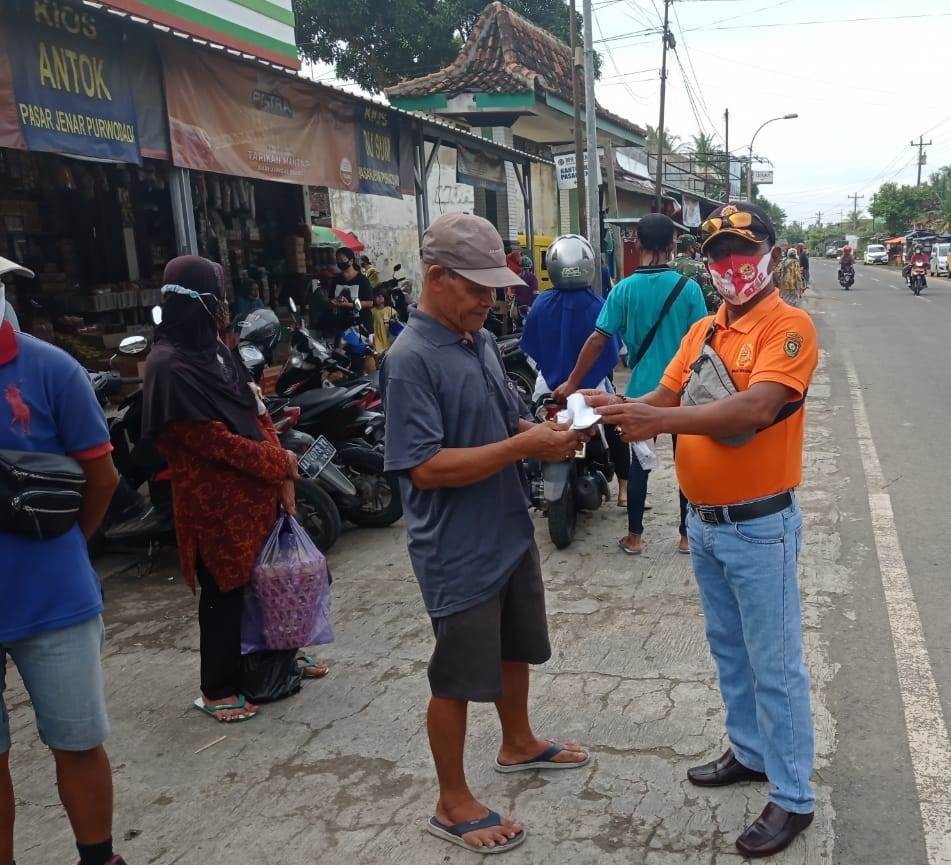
<point>455,436</point>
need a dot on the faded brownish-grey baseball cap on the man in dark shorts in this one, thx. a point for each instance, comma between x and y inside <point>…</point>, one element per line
<point>472,247</point>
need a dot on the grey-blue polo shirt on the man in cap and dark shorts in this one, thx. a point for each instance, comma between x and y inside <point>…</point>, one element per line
<point>440,391</point>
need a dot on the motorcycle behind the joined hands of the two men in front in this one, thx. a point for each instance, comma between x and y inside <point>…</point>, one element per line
<point>562,490</point>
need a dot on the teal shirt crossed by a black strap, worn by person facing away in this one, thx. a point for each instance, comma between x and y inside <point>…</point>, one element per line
<point>630,311</point>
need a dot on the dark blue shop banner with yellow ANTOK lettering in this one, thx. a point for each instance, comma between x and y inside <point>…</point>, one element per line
<point>72,90</point>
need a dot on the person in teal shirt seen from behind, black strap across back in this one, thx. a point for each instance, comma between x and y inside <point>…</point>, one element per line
<point>652,328</point>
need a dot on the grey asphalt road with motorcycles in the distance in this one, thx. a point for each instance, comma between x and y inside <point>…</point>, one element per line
<point>895,347</point>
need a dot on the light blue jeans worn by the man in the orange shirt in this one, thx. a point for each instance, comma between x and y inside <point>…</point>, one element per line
<point>746,573</point>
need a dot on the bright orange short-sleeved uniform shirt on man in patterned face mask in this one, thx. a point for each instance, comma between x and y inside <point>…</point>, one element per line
<point>772,342</point>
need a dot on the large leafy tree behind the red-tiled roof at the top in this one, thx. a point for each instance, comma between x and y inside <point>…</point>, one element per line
<point>377,44</point>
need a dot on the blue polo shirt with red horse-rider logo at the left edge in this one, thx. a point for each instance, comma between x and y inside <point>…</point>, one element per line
<point>47,405</point>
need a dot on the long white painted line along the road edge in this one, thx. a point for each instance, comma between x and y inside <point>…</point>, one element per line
<point>924,721</point>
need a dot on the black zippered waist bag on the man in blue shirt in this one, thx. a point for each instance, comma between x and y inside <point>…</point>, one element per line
<point>40,494</point>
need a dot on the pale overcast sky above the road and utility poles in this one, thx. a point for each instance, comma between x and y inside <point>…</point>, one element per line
<point>862,89</point>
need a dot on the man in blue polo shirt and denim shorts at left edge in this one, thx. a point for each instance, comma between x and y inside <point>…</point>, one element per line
<point>50,599</point>
